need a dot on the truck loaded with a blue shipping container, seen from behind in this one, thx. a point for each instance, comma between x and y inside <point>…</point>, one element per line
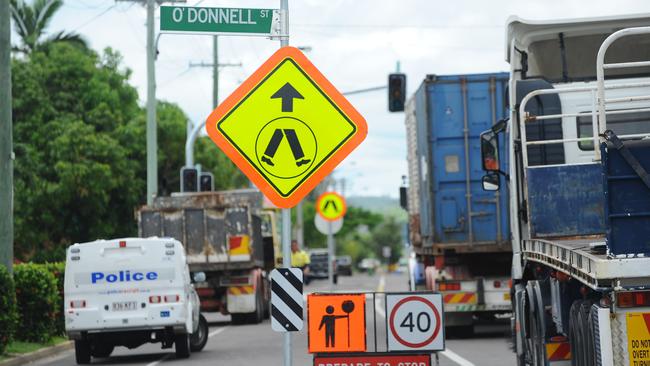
<point>459,233</point>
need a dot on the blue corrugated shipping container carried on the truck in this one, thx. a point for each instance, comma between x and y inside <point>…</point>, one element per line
<point>451,113</point>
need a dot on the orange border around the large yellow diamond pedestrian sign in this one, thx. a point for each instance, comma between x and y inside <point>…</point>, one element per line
<point>245,89</point>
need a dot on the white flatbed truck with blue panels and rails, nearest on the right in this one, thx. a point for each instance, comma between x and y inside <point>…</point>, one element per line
<point>575,171</point>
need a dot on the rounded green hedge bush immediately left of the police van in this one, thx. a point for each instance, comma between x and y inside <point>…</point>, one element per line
<point>37,297</point>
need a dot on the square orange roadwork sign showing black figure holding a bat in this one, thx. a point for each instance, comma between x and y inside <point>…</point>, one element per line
<point>337,323</point>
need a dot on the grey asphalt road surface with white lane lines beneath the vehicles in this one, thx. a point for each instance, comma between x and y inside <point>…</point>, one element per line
<point>248,345</point>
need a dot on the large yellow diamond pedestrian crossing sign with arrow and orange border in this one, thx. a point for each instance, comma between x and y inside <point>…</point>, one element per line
<point>286,127</point>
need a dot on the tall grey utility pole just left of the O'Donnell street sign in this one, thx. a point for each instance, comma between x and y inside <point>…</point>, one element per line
<point>152,144</point>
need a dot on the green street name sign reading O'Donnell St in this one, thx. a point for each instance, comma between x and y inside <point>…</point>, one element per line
<point>186,19</point>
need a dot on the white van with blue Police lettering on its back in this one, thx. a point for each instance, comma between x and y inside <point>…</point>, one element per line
<point>127,292</point>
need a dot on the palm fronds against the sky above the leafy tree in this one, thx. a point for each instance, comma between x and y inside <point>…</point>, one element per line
<point>31,21</point>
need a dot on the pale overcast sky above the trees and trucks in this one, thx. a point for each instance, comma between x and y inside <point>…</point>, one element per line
<point>355,44</point>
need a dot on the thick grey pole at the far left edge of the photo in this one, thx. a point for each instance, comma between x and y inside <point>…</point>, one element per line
<point>6,142</point>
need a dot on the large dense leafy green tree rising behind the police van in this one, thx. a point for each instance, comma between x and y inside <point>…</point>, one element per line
<point>75,176</point>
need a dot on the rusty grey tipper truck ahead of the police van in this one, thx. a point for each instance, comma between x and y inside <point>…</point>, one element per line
<point>231,236</point>
